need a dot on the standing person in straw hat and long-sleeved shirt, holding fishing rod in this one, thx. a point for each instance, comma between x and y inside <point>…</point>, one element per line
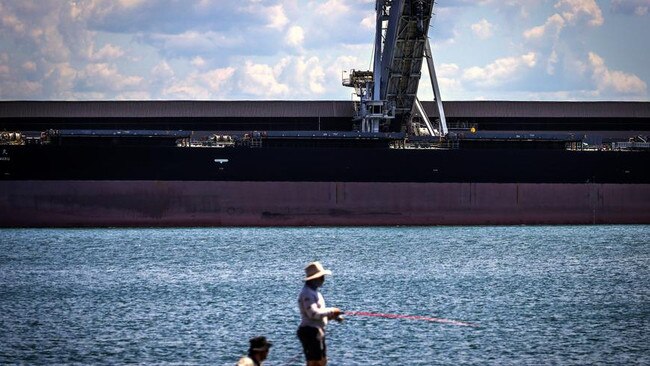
<point>314,315</point>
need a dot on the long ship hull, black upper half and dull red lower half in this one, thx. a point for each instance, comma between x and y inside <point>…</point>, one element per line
<point>77,185</point>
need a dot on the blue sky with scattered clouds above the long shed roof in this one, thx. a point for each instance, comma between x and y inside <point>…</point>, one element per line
<point>299,49</point>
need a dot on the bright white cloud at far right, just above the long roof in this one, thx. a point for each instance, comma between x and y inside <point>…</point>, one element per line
<point>615,82</point>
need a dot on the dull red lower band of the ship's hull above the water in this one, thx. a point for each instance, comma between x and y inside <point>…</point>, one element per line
<point>193,203</point>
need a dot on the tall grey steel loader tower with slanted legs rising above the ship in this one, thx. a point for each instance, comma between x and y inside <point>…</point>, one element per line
<point>388,93</point>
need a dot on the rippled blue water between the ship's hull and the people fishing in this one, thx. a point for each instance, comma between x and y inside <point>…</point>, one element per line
<point>539,295</point>
